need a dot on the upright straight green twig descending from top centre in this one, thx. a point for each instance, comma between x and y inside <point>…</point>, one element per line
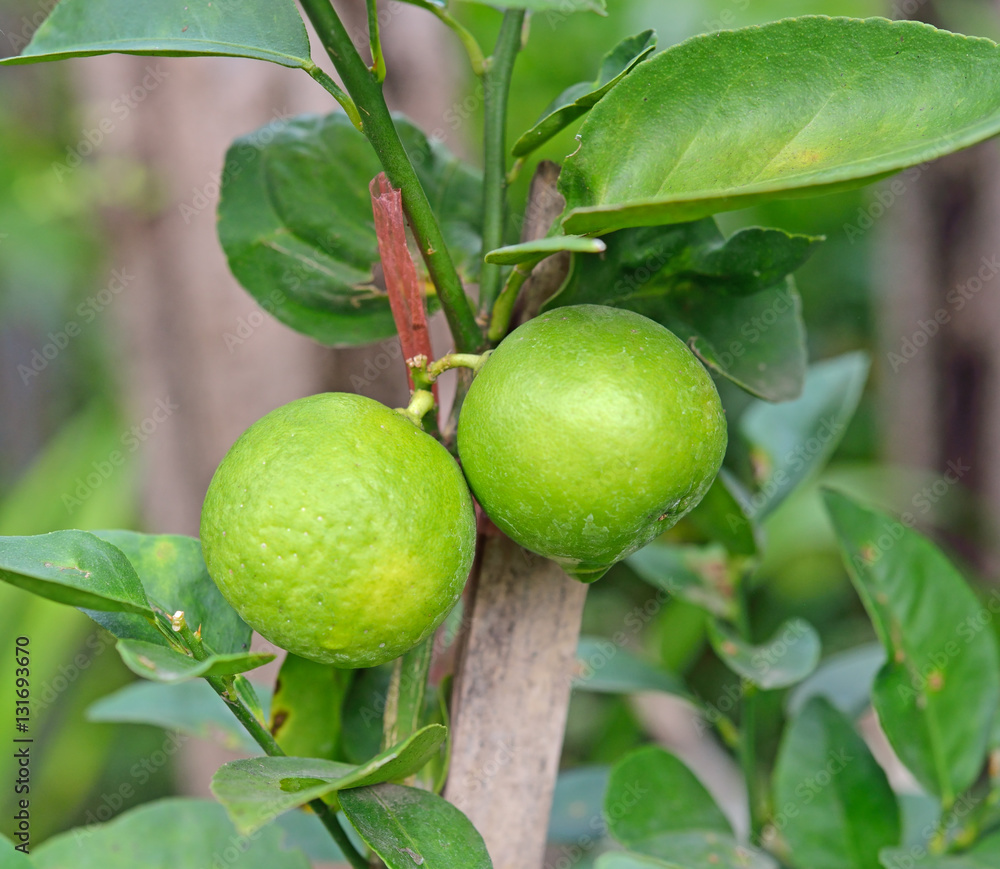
<point>496,92</point>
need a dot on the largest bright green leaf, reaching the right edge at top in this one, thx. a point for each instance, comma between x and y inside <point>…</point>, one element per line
<point>794,108</point>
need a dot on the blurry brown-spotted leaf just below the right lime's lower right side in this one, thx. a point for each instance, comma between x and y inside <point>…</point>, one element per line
<point>699,575</point>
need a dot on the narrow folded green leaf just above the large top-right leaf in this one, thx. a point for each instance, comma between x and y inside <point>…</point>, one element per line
<point>578,99</point>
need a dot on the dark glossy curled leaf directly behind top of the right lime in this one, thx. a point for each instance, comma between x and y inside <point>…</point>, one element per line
<point>730,299</point>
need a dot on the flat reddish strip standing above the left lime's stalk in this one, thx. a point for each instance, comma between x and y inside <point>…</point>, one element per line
<point>401,280</point>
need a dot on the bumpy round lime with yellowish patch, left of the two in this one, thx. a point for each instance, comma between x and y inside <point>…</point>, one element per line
<point>339,530</point>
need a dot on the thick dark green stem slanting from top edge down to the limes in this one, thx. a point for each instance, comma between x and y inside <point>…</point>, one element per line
<point>377,125</point>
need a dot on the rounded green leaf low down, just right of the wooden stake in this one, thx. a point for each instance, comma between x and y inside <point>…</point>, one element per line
<point>651,793</point>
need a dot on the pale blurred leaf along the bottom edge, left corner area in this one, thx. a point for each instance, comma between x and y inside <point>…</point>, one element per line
<point>168,834</point>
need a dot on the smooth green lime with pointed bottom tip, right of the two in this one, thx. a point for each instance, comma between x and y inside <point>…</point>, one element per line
<point>588,432</point>
